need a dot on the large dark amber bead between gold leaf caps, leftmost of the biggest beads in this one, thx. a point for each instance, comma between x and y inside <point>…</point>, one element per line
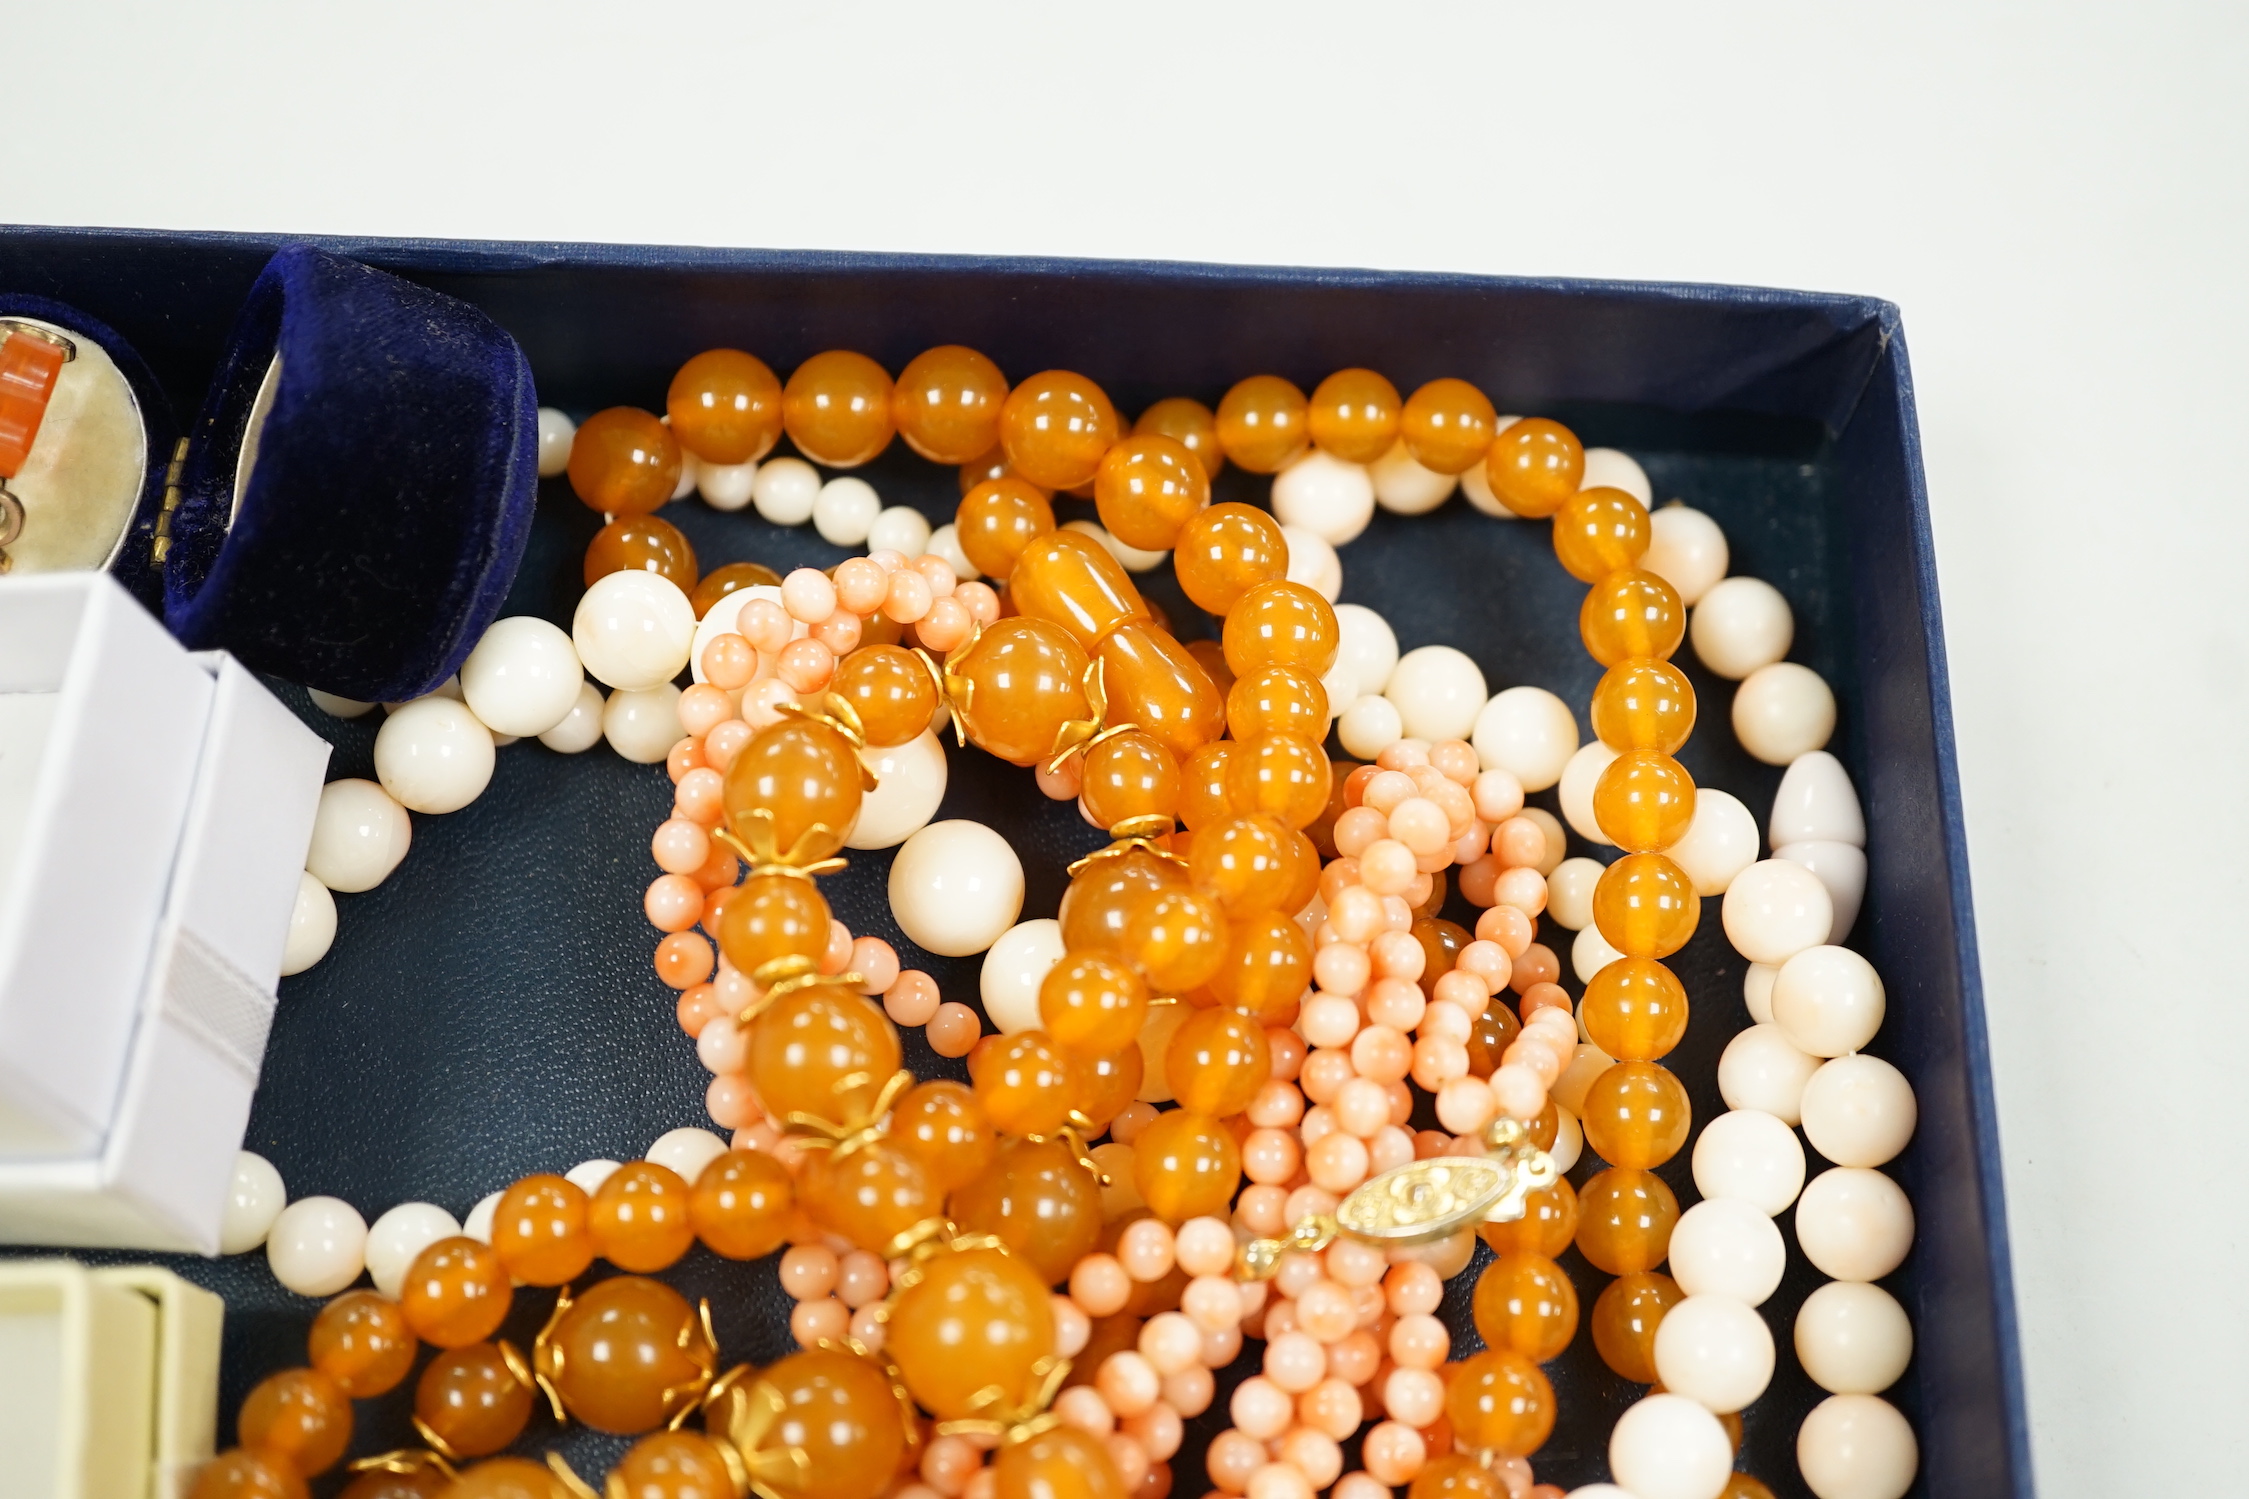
<point>631,1352</point>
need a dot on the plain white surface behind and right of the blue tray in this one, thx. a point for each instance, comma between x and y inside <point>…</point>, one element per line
<point>2054,194</point>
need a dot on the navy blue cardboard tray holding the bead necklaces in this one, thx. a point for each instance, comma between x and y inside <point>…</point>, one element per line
<point>491,1008</point>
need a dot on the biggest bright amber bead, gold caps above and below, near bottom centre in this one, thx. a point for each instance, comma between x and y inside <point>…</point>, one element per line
<point>977,1320</point>
